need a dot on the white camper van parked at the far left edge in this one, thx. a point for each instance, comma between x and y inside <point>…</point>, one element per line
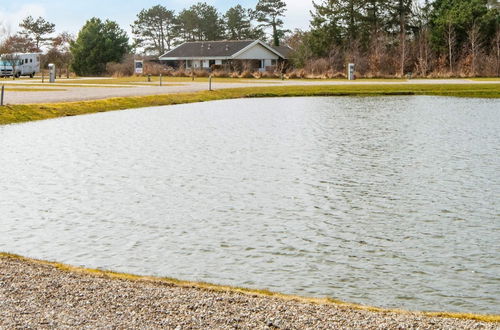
<point>20,65</point>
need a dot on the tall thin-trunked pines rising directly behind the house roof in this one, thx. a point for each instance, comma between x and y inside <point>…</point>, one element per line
<point>157,29</point>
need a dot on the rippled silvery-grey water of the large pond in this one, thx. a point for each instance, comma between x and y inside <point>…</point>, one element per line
<point>389,201</point>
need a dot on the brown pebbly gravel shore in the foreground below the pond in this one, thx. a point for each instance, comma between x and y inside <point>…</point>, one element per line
<point>36,294</point>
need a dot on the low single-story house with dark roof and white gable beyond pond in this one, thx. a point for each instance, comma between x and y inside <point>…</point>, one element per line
<point>254,54</point>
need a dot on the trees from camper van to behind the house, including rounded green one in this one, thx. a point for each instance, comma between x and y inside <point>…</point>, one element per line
<point>155,31</point>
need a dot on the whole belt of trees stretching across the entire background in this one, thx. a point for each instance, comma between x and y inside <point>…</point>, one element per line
<point>384,38</point>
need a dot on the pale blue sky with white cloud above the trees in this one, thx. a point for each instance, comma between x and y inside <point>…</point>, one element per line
<point>71,15</point>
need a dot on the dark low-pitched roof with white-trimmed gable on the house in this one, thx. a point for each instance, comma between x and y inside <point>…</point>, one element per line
<point>225,49</point>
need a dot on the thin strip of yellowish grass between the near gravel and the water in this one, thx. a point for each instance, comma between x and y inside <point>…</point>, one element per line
<point>253,292</point>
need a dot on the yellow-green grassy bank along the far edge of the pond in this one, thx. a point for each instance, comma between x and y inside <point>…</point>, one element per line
<point>29,112</point>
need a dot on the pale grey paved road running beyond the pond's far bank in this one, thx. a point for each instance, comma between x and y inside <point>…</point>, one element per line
<point>94,92</point>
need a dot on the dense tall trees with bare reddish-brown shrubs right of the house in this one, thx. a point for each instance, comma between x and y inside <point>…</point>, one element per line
<point>396,37</point>
